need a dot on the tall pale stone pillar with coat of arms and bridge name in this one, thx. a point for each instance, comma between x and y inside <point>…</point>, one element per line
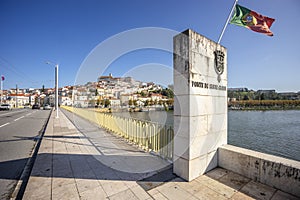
<point>200,106</point>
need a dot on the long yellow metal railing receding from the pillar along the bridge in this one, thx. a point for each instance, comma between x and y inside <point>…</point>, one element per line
<point>150,136</point>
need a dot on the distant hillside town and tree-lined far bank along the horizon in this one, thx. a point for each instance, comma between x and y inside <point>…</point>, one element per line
<point>119,92</point>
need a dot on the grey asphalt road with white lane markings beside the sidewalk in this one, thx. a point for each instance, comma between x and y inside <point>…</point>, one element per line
<point>18,133</point>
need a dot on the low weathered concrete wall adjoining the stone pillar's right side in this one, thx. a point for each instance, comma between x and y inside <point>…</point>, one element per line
<point>278,172</point>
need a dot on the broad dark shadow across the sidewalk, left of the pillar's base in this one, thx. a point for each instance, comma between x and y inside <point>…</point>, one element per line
<point>100,167</point>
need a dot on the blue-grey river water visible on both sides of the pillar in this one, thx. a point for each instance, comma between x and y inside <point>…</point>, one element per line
<point>272,132</point>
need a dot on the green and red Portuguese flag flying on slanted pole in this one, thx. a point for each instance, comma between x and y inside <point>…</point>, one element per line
<point>252,20</point>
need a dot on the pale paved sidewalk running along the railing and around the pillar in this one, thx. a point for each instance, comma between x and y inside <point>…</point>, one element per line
<point>86,162</point>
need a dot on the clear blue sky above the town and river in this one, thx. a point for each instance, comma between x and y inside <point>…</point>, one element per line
<point>67,31</point>
